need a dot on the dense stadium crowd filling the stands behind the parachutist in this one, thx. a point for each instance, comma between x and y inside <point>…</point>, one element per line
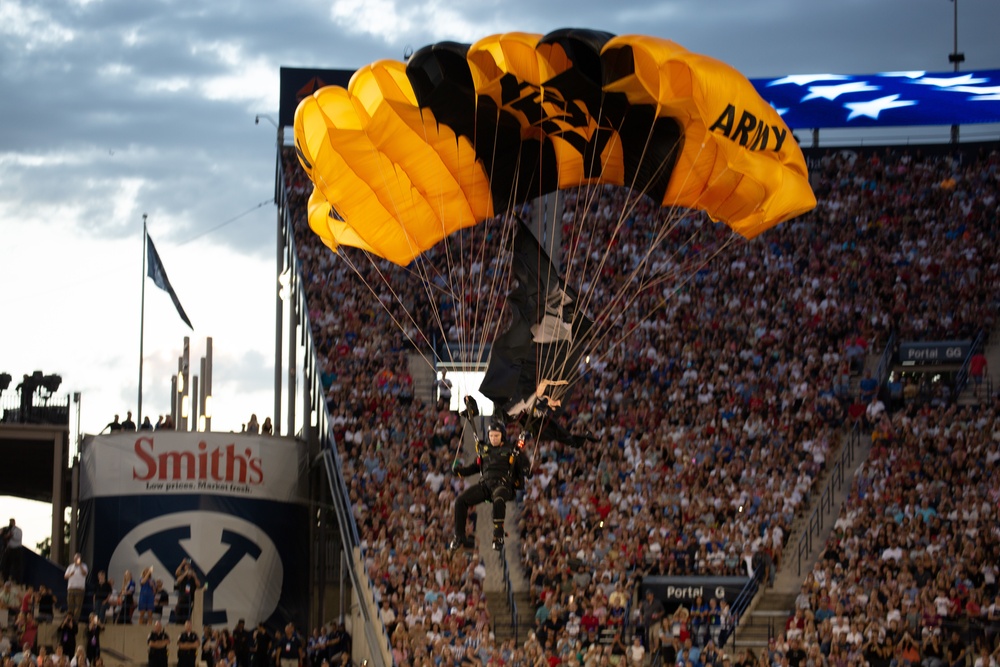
<point>715,417</point>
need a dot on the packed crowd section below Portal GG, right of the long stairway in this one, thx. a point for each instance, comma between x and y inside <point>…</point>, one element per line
<point>909,575</point>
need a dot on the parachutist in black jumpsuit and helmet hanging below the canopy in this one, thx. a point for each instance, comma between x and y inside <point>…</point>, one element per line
<point>504,468</point>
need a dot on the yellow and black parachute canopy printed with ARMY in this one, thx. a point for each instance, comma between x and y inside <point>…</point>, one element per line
<point>410,153</point>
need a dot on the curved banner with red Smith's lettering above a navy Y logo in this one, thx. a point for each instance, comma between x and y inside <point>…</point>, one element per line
<point>235,505</point>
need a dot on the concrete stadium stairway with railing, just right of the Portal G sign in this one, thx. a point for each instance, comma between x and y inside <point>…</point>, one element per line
<point>767,613</point>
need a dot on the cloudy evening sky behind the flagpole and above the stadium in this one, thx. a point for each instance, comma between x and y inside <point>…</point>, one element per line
<point>112,109</point>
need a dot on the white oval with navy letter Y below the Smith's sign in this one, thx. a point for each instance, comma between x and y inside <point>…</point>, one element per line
<point>236,562</point>
